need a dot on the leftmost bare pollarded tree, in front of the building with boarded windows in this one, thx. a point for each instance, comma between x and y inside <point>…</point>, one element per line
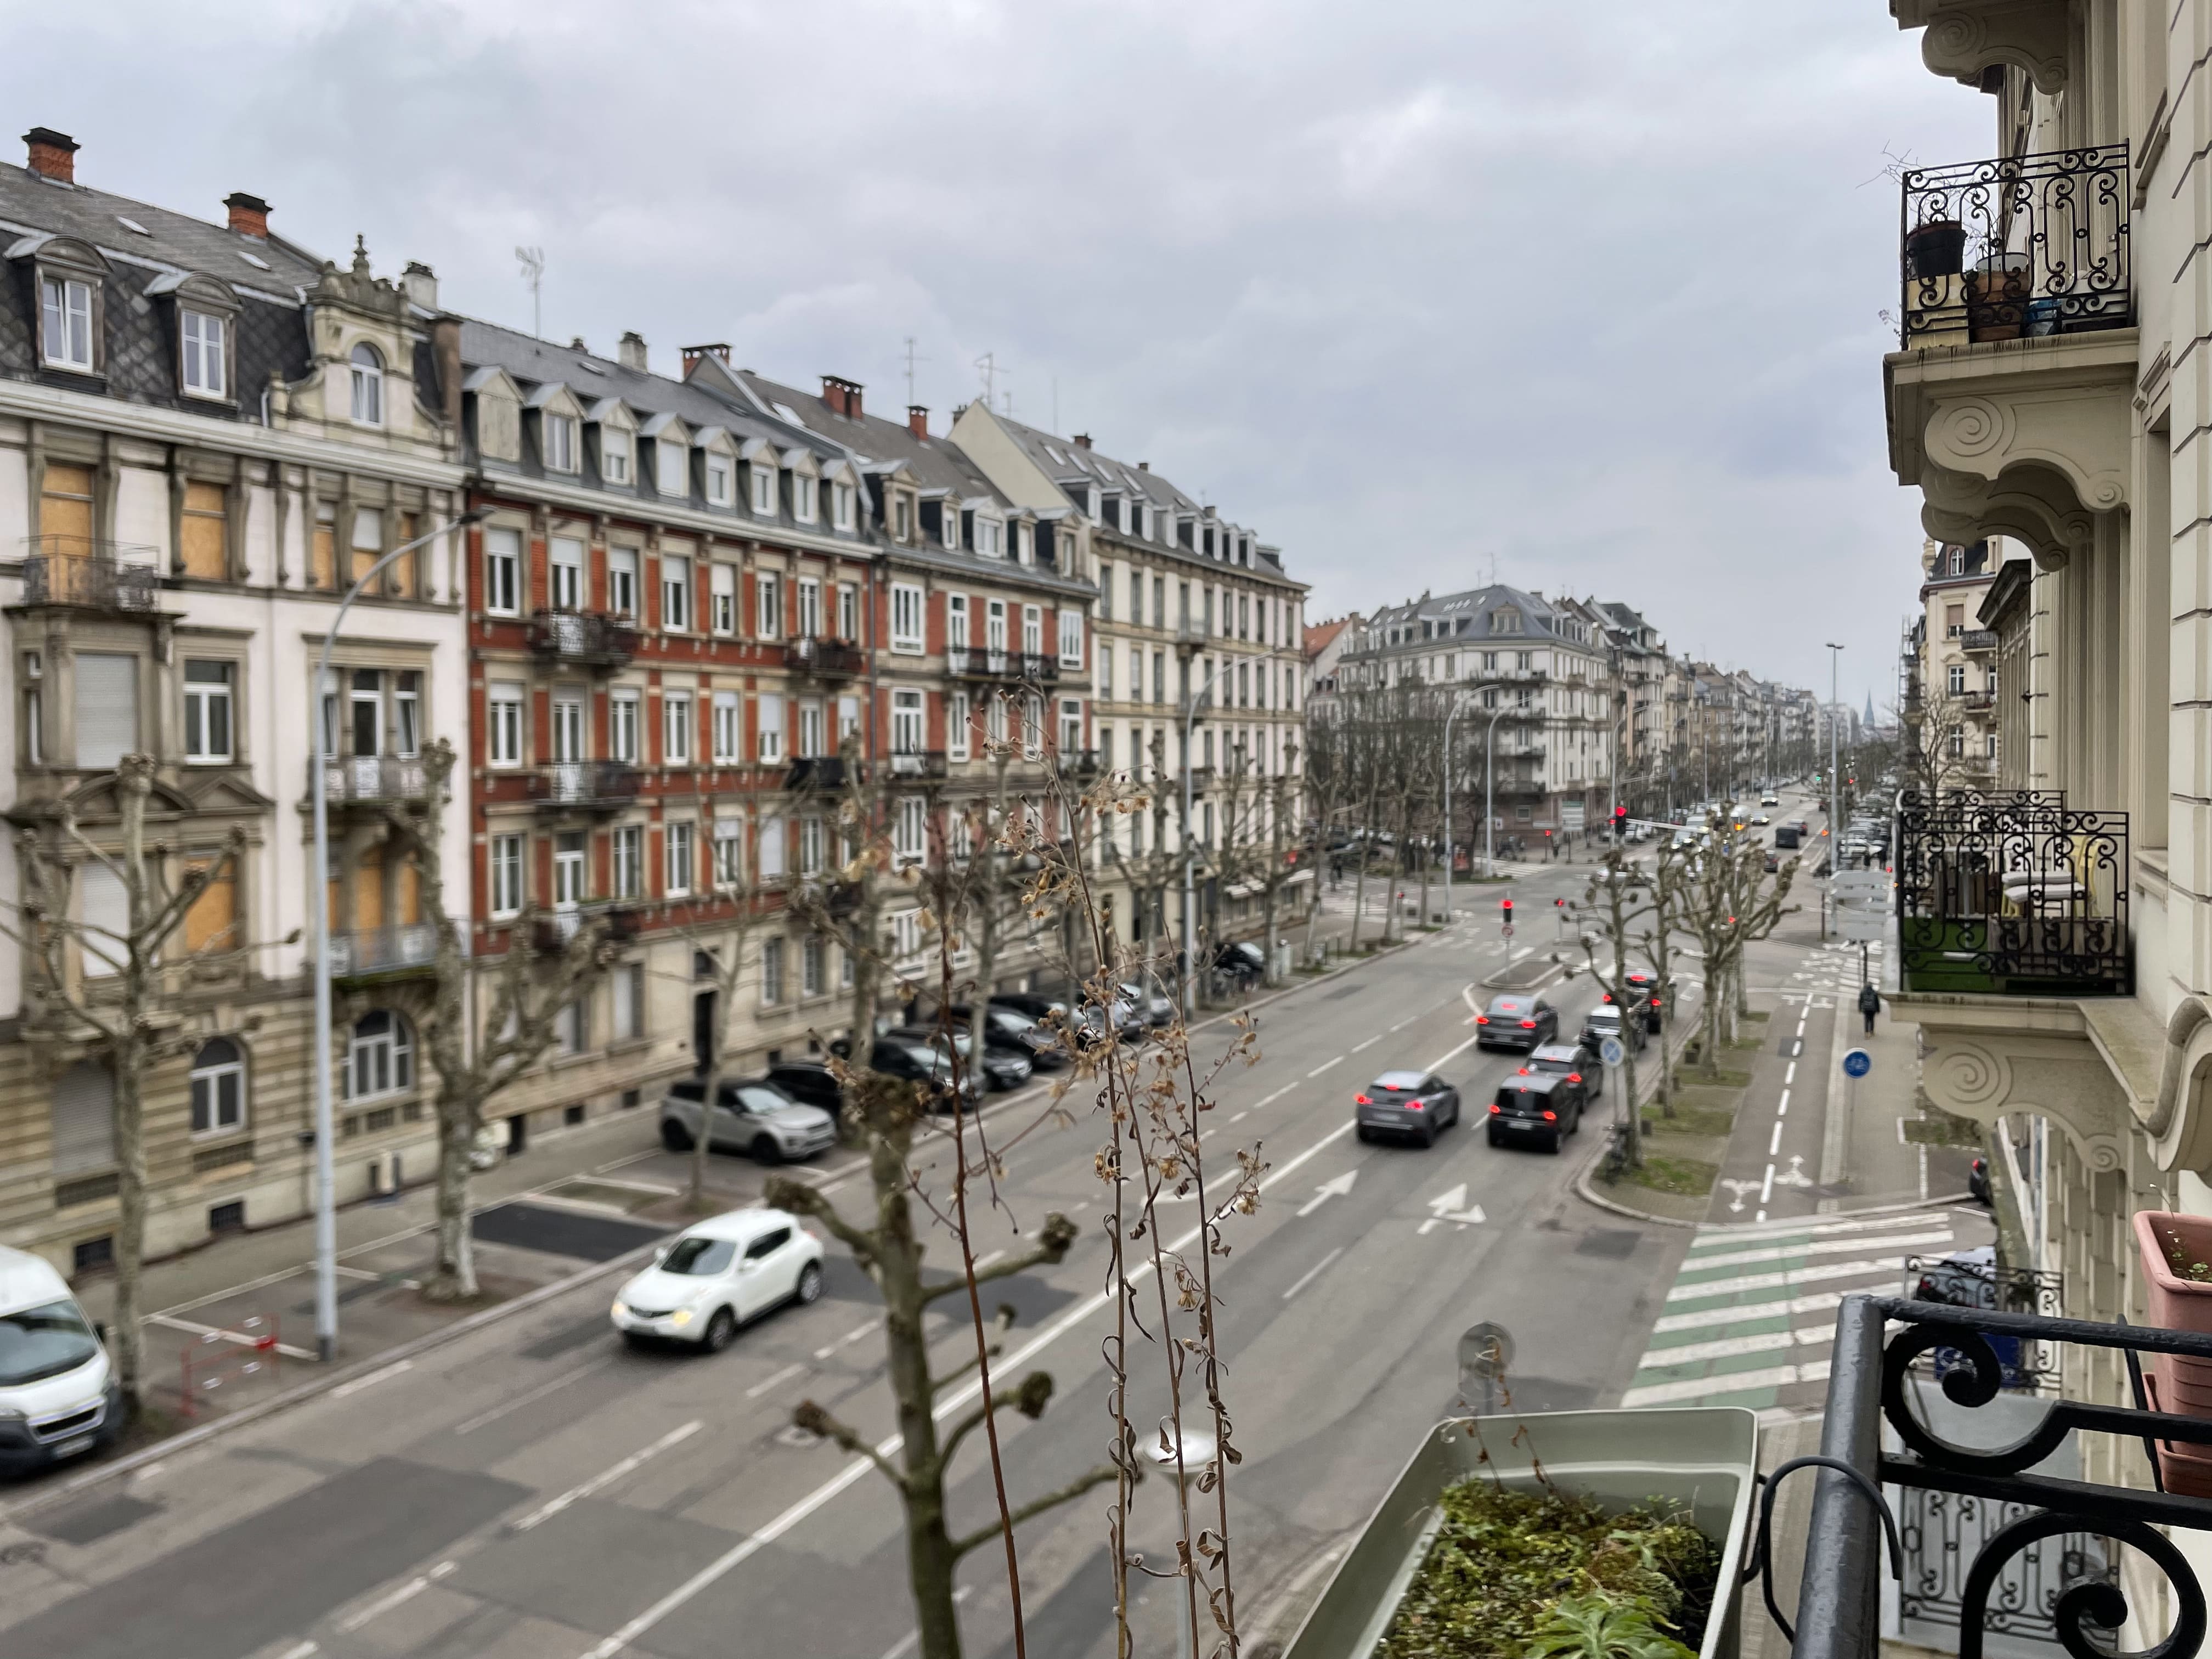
<point>114,1010</point>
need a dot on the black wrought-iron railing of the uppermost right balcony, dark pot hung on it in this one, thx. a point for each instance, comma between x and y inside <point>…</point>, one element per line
<point>2023,247</point>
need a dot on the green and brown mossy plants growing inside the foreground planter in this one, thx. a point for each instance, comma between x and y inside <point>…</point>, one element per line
<point>1505,1561</point>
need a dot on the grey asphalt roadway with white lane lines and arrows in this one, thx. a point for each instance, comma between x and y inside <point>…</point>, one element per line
<point>539,1492</point>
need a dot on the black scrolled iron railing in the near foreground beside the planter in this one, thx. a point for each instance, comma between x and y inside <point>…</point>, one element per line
<point>1983,1541</point>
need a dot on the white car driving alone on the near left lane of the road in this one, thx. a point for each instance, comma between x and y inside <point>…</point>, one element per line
<point>720,1275</point>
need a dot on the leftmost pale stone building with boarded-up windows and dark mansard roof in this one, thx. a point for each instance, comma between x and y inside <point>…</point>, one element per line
<point>207,435</point>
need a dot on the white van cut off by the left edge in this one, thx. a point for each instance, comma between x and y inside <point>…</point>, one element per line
<point>59,1392</point>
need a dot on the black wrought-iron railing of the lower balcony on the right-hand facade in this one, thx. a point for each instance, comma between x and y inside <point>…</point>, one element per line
<point>2012,893</point>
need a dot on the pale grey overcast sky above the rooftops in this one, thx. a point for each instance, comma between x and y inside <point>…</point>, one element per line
<point>1587,291</point>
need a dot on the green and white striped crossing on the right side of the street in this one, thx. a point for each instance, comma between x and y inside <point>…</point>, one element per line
<point>1762,1337</point>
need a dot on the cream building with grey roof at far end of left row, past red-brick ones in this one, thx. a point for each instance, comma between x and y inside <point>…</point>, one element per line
<point>1198,667</point>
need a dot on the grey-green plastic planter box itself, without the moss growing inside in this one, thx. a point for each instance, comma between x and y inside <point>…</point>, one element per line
<point>1702,1459</point>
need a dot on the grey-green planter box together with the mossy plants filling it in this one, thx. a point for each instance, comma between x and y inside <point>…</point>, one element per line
<point>1629,1530</point>
